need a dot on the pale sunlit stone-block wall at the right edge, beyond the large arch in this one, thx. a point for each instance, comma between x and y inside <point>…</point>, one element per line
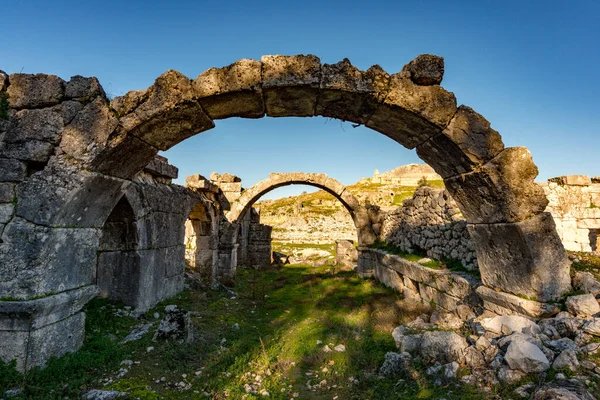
<point>574,202</point>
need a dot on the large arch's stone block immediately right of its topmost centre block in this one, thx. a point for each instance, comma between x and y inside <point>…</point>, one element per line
<point>349,94</point>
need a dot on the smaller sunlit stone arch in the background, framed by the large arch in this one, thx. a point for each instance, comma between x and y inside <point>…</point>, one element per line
<point>276,180</point>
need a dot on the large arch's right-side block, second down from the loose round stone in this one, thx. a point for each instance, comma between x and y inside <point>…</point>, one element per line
<point>468,141</point>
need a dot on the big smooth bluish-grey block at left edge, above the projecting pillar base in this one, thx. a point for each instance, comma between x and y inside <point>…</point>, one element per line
<point>37,260</point>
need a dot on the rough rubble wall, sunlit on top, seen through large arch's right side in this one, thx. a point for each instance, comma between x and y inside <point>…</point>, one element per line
<point>430,222</point>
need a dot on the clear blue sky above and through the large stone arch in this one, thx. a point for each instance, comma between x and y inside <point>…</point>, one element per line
<point>530,67</point>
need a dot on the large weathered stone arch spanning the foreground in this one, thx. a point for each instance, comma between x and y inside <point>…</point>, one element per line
<point>104,144</point>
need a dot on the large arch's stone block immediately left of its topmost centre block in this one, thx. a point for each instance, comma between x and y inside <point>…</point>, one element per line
<point>232,91</point>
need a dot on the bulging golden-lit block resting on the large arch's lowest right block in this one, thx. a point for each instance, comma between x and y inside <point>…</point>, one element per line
<point>503,190</point>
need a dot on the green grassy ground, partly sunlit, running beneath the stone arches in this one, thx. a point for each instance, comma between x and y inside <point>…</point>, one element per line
<point>271,331</point>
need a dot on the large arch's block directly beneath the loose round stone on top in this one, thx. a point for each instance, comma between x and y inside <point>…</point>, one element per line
<point>411,114</point>
